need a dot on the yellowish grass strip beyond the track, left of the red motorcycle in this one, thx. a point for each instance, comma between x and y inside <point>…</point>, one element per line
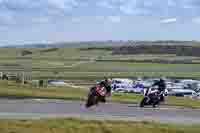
<point>11,89</point>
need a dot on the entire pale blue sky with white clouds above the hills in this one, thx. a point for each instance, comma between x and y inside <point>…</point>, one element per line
<point>35,21</point>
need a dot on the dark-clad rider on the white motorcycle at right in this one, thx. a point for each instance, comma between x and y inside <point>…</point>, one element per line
<point>161,88</point>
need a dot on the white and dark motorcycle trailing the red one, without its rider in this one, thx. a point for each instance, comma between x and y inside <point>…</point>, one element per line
<point>152,97</point>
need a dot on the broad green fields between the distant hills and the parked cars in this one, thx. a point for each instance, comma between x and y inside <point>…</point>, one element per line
<point>74,63</point>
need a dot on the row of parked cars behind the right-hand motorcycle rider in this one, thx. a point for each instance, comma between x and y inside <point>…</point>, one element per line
<point>174,87</point>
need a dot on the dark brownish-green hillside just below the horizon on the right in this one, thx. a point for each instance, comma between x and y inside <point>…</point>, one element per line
<point>178,50</point>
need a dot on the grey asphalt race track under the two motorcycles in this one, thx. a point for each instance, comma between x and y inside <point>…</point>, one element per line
<point>37,109</point>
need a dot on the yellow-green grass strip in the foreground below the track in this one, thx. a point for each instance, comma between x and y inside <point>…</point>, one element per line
<point>82,126</point>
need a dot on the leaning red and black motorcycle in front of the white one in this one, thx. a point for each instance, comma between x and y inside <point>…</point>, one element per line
<point>96,94</point>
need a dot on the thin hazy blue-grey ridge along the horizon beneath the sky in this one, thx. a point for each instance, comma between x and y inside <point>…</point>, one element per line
<point>100,43</point>
